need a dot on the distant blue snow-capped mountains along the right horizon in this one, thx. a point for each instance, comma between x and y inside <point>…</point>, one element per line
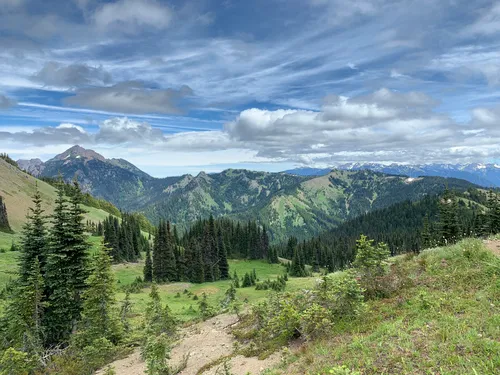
<point>487,175</point>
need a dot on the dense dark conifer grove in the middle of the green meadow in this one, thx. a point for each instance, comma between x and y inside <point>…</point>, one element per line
<point>201,254</point>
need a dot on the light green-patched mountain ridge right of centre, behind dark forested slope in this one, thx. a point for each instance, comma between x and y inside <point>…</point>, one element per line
<point>327,201</point>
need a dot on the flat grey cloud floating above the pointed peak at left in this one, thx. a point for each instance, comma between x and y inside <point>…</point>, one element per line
<point>131,97</point>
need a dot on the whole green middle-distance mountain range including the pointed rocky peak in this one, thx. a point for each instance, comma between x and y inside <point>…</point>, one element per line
<point>289,204</point>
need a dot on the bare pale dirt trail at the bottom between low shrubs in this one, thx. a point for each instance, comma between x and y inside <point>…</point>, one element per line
<point>204,342</point>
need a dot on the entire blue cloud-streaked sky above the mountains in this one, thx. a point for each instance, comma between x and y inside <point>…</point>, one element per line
<point>181,86</point>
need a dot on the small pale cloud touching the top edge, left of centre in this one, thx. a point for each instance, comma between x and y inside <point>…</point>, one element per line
<point>131,16</point>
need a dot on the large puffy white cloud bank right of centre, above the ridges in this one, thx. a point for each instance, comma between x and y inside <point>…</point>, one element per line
<point>385,125</point>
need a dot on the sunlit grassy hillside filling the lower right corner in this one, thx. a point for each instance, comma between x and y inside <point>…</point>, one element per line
<point>446,321</point>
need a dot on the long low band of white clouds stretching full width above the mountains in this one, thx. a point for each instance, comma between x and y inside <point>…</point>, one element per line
<point>385,126</point>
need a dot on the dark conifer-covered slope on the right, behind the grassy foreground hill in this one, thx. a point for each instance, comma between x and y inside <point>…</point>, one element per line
<point>404,227</point>
